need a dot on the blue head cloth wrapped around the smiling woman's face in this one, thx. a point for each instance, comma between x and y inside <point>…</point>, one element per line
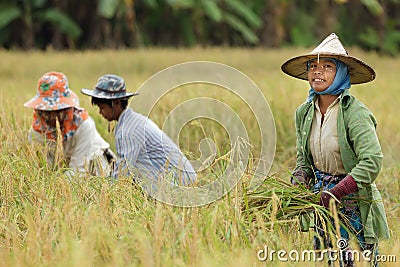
<point>340,83</point>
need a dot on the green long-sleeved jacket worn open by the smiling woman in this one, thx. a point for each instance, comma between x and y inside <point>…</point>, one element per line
<point>361,155</point>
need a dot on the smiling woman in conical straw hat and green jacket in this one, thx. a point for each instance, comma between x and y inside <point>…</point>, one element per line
<point>338,151</point>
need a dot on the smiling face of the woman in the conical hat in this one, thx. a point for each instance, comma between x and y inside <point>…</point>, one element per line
<point>321,74</point>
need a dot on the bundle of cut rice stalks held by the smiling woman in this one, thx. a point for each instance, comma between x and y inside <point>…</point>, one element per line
<point>279,202</point>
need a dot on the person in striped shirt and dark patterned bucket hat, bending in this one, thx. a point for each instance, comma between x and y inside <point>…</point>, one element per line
<point>143,149</point>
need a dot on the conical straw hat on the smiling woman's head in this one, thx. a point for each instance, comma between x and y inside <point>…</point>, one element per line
<point>330,47</point>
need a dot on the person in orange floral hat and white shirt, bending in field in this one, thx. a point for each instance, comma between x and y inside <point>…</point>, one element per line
<point>82,148</point>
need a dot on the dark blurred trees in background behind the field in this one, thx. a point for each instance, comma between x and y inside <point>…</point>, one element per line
<point>96,24</point>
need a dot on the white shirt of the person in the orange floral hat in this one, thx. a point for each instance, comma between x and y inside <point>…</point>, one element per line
<point>85,145</point>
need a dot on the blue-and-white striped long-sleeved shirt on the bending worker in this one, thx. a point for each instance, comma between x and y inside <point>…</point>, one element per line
<point>145,150</point>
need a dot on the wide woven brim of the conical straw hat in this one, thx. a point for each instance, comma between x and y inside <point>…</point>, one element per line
<point>359,71</point>
